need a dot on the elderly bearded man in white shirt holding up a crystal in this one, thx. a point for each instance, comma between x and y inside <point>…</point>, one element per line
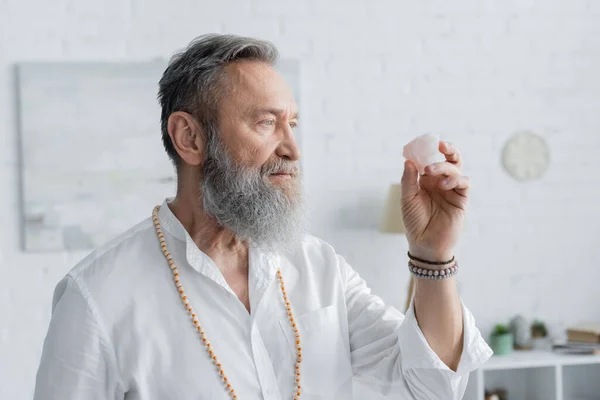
<point>220,294</point>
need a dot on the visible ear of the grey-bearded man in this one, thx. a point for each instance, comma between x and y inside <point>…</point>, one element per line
<point>187,137</point>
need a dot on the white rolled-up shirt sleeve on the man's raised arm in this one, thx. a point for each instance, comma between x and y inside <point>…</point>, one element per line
<point>390,354</point>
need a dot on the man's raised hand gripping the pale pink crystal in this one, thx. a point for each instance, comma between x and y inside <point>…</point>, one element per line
<point>434,205</point>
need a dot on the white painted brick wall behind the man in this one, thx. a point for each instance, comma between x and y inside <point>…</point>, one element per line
<point>375,74</point>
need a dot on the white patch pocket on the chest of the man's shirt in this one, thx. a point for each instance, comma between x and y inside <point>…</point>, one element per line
<point>325,369</point>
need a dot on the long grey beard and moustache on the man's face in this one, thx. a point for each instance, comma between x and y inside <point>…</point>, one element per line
<point>244,201</point>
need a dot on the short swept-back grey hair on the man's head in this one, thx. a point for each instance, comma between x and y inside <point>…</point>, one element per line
<point>193,80</point>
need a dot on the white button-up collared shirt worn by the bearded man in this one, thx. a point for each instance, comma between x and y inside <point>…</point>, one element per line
<point>119,329</point>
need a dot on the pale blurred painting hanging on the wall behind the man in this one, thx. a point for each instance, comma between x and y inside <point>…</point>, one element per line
<point>92,161</point>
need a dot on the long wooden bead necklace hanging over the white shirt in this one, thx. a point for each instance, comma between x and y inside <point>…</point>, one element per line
<point>221,373</point>
